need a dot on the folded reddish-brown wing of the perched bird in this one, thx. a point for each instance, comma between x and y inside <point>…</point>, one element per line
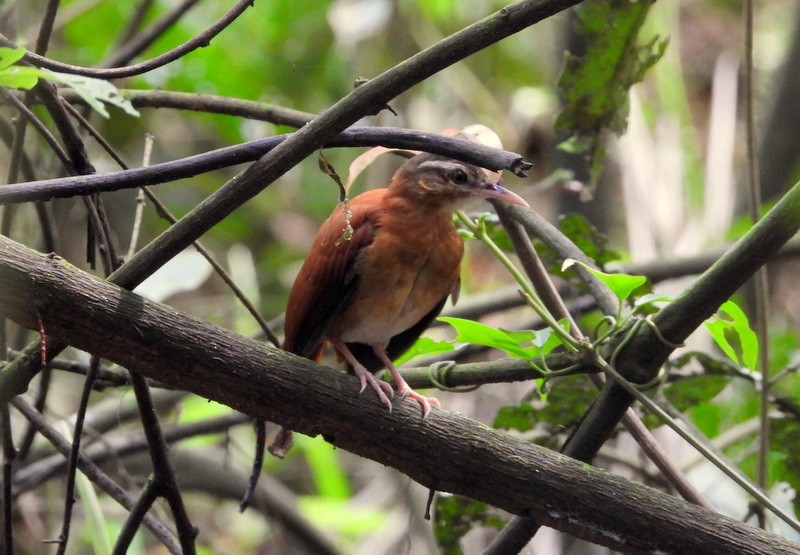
<point>328,278</point>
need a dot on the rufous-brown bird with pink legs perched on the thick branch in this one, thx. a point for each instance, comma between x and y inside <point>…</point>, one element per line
<point>372,295</point>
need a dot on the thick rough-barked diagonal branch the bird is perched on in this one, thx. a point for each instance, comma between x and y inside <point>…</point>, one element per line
<point>446,452</point>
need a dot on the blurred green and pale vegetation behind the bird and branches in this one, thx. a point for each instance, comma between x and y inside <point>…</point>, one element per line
<point>663,200</point>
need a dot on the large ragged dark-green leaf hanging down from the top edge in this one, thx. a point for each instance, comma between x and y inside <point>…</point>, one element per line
<point>595,86</point>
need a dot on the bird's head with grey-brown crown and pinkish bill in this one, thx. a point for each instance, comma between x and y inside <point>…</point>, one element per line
<point>446,182</point>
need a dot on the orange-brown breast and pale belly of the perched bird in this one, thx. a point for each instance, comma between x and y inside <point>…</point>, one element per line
<point>406,271</point>
